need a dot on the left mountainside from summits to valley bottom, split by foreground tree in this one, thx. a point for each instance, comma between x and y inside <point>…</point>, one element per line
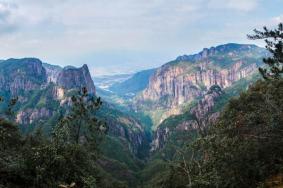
<point>44,93</point>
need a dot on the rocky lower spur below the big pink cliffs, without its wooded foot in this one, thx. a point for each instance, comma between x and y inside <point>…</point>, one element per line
<point>203,112</point>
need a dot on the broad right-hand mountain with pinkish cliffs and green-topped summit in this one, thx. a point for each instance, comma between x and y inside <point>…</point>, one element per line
<point>178,83</point>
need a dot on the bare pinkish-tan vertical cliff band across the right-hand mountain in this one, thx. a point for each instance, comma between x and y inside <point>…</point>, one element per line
<point>182,86</point>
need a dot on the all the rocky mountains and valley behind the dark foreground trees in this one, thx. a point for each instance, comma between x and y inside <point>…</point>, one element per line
<point>148,113</point>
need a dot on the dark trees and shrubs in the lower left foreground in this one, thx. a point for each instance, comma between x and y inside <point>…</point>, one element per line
<point>66,159</point>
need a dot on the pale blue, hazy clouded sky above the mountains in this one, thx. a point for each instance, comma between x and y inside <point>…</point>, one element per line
<point>124,36</point>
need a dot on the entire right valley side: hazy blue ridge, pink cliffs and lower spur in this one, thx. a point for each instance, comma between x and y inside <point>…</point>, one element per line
<point>184,94</point>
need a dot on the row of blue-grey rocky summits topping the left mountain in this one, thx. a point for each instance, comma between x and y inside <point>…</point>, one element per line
<point>18,76</point>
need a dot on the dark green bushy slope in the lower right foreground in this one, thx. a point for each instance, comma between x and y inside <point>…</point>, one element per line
<point>243,149</point>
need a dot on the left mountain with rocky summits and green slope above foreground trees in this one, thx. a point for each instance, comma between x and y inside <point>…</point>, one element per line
<point>40,86</point>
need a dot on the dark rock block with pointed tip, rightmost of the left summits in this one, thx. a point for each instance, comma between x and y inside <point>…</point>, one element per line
<point>70,78</point>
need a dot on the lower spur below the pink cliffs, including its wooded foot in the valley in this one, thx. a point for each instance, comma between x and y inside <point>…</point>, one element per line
<point>175,133</point>
